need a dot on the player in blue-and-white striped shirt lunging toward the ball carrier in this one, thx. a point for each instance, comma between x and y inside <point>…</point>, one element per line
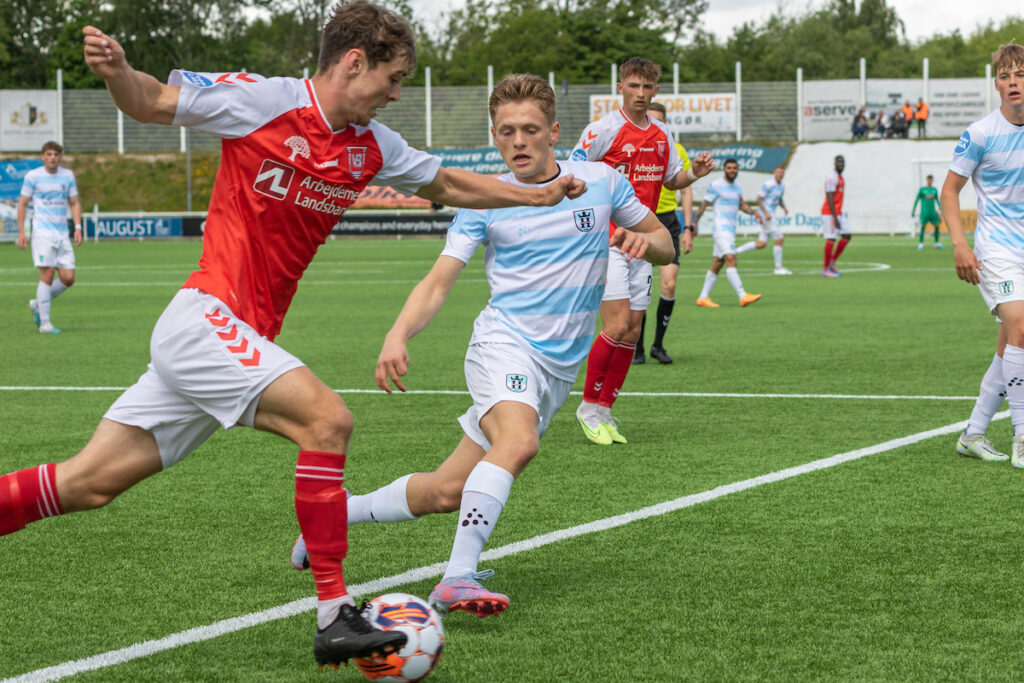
<point>546,271</point>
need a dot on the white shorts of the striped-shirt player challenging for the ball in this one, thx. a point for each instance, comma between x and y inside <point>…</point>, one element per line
<point>497,372</point>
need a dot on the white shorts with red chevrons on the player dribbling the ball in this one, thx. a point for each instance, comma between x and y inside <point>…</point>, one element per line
<point>207,370</point>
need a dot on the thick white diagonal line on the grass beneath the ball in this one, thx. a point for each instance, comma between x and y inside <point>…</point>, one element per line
<point>226,627</point>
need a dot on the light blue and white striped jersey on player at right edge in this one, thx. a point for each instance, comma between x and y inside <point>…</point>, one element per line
<point>992,153</point>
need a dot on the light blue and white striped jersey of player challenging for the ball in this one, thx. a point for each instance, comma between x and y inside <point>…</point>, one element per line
<point>547,266</point>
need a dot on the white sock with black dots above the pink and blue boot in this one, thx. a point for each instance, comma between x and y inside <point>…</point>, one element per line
<point>484,498</point>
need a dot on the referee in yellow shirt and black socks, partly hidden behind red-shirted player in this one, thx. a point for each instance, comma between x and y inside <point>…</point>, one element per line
<point>682,242</point>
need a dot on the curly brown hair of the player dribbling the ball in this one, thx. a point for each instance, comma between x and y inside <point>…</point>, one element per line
<point>380,33</point>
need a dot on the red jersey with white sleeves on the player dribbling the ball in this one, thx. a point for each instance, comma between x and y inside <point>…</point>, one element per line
<point>284,183</point>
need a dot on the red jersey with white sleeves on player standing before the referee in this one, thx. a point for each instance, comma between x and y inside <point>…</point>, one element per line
<point>647,156</point>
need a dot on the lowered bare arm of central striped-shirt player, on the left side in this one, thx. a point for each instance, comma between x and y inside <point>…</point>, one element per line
<point>421,307</point>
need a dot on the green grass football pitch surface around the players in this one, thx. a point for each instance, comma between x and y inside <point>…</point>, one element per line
<point>901,565</point>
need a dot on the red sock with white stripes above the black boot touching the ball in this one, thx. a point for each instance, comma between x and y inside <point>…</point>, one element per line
<point>322,508</point>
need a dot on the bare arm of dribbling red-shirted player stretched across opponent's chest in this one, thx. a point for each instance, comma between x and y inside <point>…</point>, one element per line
<point>472,191</point>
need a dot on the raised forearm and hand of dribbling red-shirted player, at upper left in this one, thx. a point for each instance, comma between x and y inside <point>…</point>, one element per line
<point>138,95</point>
